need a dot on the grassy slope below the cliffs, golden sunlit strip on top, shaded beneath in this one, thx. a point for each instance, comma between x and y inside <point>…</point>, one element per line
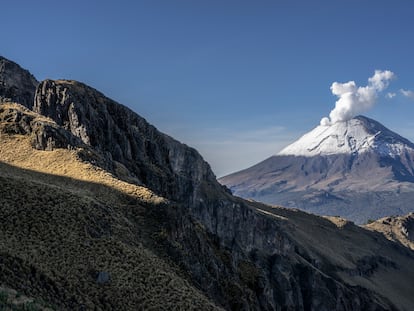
<point>65,222</point>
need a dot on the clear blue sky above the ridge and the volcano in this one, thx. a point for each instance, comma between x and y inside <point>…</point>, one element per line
<point>238,80</point>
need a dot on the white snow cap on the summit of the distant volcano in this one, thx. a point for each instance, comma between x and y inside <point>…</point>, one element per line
<point>357,135</point>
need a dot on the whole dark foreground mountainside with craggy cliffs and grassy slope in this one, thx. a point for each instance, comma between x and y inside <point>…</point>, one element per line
<point>101,211</point>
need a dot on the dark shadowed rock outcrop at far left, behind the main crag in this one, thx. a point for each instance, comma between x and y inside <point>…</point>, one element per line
<point>16,83</point>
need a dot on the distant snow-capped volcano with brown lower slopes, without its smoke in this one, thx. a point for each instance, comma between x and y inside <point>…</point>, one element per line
<point>356,169</point>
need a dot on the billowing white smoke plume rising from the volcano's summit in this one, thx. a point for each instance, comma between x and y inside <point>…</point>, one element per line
<point>353,99</point>
